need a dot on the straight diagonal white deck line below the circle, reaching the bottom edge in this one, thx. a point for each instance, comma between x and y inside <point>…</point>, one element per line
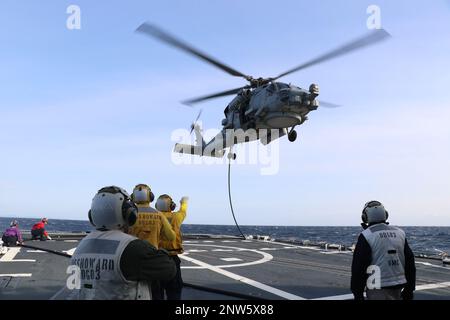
<point>245,280</point>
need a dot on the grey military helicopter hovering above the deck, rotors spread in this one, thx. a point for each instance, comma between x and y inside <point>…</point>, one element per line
<point>265,109</point>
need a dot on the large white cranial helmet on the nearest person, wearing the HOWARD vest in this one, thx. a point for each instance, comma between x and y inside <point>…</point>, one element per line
<point>112,209</point>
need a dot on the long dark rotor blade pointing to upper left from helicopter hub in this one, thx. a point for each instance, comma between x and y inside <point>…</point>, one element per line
<point>155,32</point>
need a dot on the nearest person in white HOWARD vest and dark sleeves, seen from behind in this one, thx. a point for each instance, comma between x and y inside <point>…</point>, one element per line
<point>114,265</point>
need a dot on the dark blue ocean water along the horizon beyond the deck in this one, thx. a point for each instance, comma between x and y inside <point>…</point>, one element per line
<point>427,240</point>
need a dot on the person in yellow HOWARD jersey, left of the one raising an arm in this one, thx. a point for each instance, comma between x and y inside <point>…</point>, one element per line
<point>151,225</point>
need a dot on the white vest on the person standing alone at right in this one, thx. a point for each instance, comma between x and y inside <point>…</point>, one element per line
<point>388,252</point>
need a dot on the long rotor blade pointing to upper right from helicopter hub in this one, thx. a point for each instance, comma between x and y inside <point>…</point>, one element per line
<point>372,38</point>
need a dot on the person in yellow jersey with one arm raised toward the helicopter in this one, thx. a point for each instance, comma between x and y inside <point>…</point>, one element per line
<point>165,204</point>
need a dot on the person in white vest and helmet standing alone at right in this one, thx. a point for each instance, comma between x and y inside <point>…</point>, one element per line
<point>383,262</point>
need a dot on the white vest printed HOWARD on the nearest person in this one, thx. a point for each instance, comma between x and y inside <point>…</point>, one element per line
<point>98,257</point>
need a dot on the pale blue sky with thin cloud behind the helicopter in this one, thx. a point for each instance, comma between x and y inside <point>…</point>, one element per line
<point>81,109</point>
